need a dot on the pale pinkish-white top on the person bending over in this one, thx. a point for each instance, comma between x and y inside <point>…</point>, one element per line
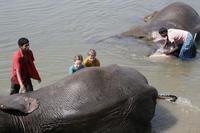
<point>177,36</point>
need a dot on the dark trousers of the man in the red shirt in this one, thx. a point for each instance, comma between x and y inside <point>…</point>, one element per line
<point>16,87</point>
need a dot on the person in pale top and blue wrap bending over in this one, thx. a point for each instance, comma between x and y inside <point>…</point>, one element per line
<point>183,45</point>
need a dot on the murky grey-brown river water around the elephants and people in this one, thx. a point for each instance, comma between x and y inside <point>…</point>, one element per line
<point>58,30</point>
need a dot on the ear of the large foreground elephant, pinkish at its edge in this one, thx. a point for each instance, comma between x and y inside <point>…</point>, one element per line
<point>18,103</point>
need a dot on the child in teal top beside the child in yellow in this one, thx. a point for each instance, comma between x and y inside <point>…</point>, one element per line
<point>78,59</point>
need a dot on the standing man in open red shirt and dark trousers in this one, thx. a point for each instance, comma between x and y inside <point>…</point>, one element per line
<point>23,69</point>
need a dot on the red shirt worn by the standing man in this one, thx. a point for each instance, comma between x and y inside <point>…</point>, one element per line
<point>27,68</point>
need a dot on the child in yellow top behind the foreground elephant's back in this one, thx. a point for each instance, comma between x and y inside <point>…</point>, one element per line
<point>91,60</point>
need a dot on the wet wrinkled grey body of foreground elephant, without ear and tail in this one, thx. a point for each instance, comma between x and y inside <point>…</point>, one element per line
<point>109,99</point>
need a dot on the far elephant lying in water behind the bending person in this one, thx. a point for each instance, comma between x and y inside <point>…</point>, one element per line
<point>177,15</point>
